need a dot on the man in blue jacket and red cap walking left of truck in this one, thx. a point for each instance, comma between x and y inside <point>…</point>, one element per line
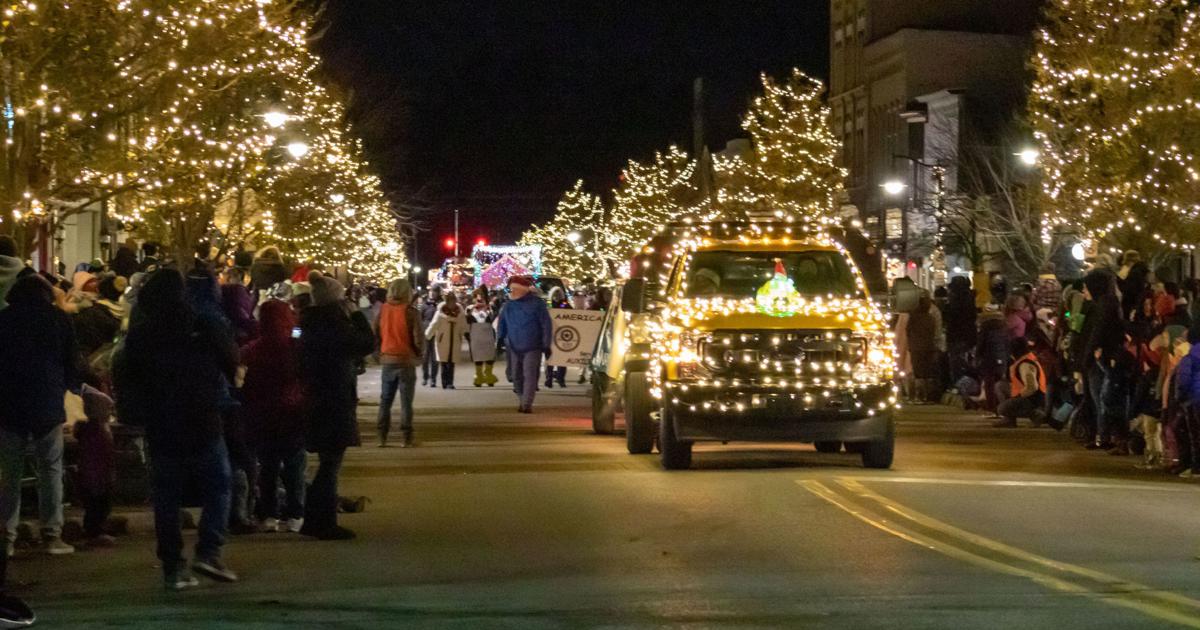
<point>526,331</point>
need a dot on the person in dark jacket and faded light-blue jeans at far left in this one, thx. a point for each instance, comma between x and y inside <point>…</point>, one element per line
<point>38,367</point>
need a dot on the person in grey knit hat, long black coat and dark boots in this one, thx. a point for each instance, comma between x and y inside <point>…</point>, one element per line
<point>334,337</point>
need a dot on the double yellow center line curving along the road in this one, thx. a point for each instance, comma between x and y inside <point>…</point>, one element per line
<point>908,525</point>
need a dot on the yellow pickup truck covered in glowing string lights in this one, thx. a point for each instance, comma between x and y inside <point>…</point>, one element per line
<point>758,333</point>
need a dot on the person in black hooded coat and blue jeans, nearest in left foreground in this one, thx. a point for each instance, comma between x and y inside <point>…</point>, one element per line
<point>172,377</point>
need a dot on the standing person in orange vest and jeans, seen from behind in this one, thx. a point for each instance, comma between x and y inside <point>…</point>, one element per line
<point>401,344</point>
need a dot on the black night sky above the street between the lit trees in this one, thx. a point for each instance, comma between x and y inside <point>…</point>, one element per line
<point>497,107</point>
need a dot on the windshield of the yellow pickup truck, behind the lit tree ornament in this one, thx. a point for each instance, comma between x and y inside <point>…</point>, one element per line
<point>734,274</point>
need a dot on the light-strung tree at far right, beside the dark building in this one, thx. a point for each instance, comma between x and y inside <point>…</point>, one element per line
<point>1114,107</point>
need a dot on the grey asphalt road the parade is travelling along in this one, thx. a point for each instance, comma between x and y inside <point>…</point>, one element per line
<point>500,520</point>
